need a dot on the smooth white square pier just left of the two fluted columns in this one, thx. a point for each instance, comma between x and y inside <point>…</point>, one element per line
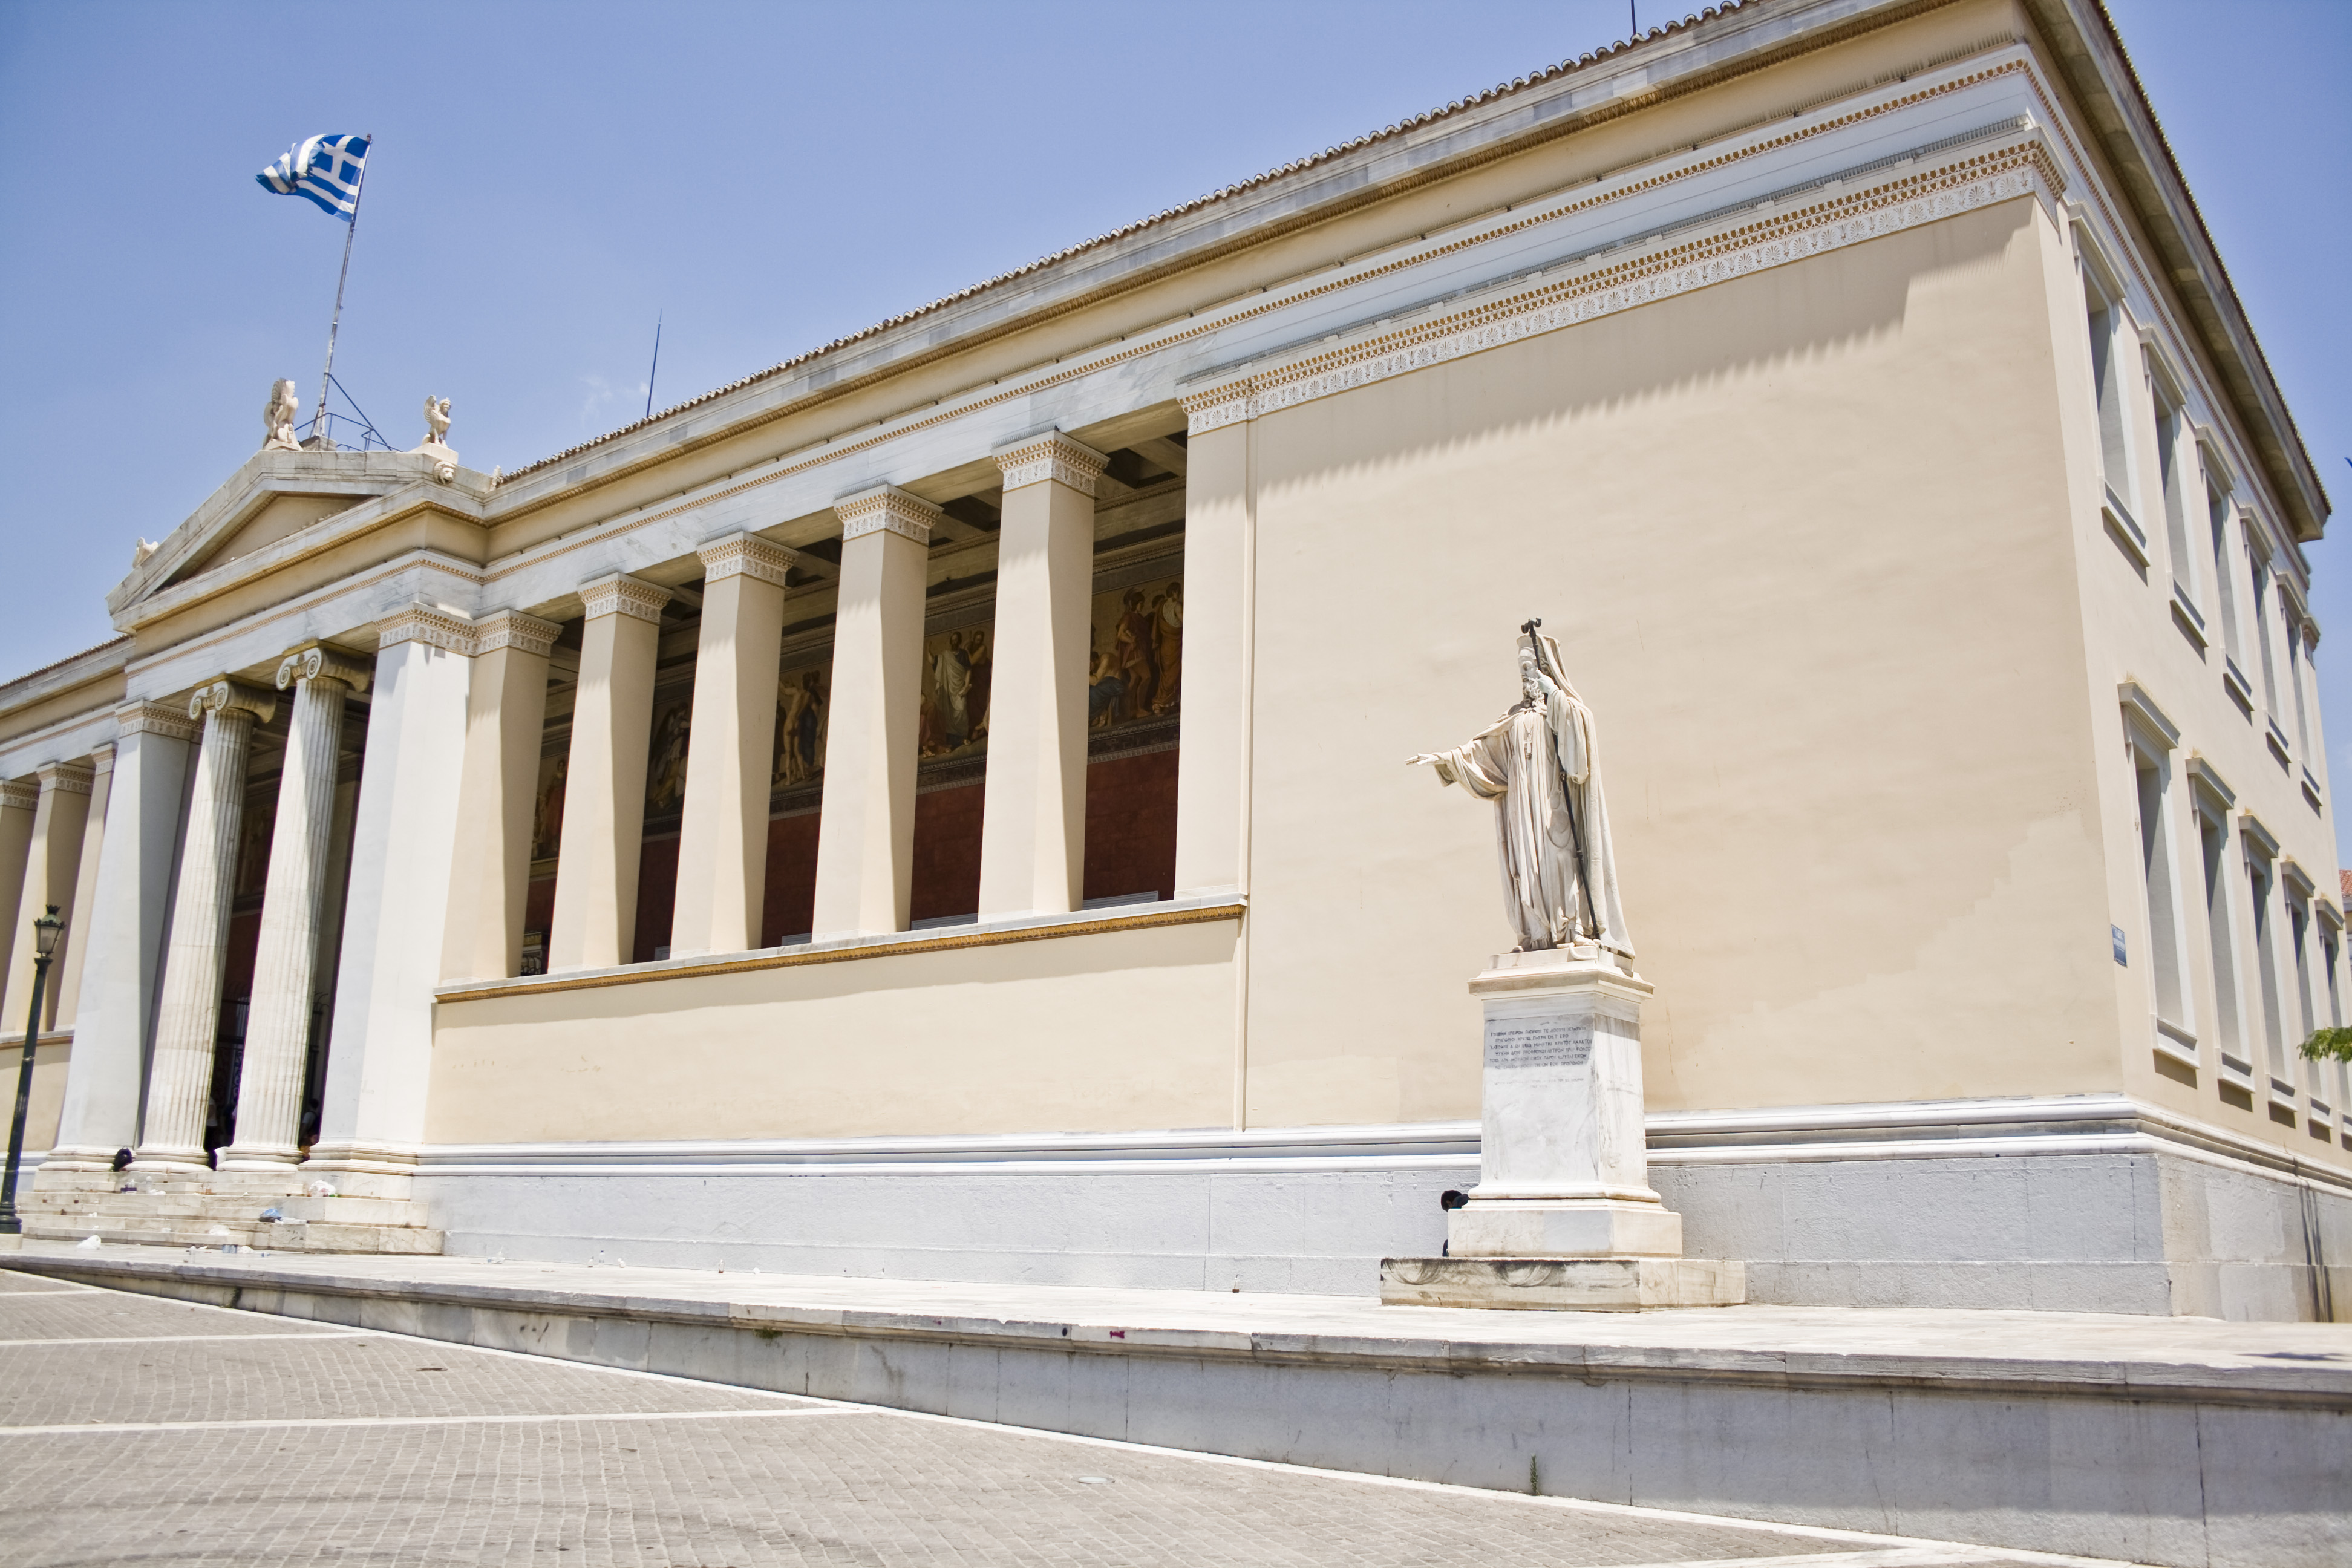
<point>121,937</point>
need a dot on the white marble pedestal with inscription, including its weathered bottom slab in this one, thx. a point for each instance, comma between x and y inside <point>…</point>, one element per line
<point>1563,1214</point>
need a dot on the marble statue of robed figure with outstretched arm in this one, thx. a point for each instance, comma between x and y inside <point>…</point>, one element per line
<point>1542,770</point>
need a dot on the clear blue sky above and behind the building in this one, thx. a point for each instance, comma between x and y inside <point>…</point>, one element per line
<point>777,175</point>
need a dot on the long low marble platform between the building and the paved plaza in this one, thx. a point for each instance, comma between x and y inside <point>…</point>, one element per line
<point>2181,1442</point>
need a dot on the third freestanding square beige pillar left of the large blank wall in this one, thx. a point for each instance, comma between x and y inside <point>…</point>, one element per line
<point>723,836</point>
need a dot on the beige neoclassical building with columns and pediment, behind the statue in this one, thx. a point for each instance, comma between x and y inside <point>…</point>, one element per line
<point>937,805</point>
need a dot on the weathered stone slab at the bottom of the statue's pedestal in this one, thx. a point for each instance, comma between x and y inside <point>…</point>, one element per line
<point>1563,1285</point>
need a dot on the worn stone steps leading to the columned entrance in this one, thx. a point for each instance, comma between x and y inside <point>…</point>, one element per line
<point>363,1214</point>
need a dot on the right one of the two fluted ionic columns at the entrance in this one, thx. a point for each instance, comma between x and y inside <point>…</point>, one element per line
<point>286,965</point>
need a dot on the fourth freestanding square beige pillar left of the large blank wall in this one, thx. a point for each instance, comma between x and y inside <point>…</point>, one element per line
<point>613,721</point>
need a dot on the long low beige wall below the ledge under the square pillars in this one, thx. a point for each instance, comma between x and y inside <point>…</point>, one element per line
<point>1083,1033</point>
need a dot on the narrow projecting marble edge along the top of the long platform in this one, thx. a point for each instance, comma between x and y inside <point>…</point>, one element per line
<point>2299,1383</point>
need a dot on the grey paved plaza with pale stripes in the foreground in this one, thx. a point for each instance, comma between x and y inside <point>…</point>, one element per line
<point>168,1433</point>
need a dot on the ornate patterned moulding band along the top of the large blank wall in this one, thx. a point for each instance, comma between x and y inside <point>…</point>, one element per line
<point>1601,288</point>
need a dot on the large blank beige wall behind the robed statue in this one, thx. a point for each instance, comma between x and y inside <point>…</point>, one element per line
<point>1805,540</point>
